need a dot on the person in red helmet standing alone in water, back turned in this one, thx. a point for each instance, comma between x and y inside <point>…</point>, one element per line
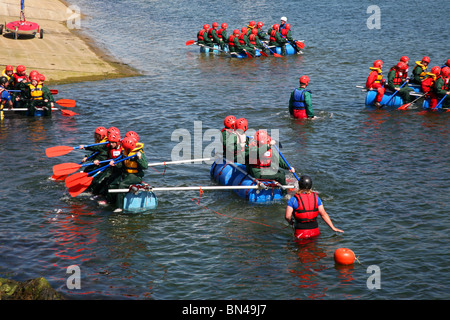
<point>300,101</point>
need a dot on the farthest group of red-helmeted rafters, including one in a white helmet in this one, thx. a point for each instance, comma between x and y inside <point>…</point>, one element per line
<point>249,38</point>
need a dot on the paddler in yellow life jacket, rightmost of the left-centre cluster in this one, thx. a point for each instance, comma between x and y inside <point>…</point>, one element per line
<point>132,170</point>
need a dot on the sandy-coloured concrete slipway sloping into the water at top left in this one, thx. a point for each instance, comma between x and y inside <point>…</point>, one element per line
<point>63,55</point>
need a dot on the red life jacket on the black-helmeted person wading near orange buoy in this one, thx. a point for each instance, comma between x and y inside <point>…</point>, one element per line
<point>307,211</point>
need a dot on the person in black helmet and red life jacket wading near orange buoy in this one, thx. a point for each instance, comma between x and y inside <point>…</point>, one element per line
<point>303,209</point>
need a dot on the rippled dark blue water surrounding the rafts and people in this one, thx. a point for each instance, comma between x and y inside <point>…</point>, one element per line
<point>383,175</point>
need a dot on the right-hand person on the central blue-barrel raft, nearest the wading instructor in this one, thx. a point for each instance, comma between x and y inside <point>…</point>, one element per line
<point>263,163</point>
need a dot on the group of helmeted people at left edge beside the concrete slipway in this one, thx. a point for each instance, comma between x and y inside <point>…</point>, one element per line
<point>20,90</point>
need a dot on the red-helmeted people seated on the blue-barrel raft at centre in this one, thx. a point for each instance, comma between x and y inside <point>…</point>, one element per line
<point>255,152</point>
